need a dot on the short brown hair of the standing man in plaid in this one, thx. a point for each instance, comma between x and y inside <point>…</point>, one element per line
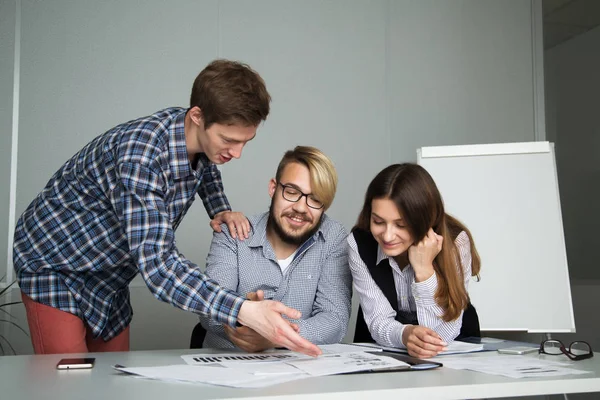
<point>230,92</point>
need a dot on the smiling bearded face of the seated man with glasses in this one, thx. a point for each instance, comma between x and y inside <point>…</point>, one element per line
<point>293,222</point>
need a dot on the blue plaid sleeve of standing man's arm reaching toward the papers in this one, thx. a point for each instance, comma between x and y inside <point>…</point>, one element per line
<point>140,205</point>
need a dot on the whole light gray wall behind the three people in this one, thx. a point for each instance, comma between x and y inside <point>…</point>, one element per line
<point>367,82</point>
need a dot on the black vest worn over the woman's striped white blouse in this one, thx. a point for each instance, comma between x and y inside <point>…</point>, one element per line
<point>383,276</point>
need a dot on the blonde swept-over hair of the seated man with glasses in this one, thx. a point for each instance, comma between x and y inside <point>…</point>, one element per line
<point>323,177</point>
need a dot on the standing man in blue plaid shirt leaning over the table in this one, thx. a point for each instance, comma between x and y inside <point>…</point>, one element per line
<point>112,209</point>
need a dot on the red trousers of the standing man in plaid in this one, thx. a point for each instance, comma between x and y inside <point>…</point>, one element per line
<point>54,331</point>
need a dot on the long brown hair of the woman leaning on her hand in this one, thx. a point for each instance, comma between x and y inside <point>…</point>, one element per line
<point>419,202</point>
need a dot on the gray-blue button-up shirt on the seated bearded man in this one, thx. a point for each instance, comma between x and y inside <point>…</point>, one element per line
<point>317,282</point>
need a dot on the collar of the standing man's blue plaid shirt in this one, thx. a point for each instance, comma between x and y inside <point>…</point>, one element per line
<point>178,157</point>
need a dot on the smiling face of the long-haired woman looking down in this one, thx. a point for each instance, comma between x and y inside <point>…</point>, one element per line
<point>388,228</point>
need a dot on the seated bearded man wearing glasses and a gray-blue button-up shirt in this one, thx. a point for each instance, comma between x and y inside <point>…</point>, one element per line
<point>295,254</point>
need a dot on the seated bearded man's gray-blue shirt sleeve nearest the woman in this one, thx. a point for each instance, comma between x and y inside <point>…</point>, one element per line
<point>332,304</point>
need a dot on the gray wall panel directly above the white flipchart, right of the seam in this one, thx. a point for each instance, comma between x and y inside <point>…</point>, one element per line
<point>460,72</point>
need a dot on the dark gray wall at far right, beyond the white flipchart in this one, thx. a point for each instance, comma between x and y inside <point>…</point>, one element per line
<point>573,122</point>
